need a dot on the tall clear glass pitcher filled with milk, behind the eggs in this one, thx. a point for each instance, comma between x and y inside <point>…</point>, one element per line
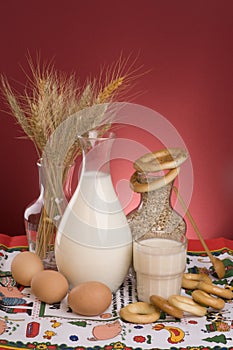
<point>94,241</point>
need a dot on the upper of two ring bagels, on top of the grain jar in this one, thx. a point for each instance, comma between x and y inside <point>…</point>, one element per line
<point>168,158</point>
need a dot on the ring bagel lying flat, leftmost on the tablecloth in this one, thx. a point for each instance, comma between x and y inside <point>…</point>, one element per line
<point>140,312</point>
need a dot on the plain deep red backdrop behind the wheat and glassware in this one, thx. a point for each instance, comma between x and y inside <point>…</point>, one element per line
<point>189,48</point>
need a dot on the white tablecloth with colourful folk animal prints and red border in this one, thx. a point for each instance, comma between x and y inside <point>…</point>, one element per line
<point>26,323</point>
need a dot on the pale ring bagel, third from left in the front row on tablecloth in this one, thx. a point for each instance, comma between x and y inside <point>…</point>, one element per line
<point>187,304</point>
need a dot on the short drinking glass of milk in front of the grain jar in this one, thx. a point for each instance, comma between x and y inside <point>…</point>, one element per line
<point>159,262</point>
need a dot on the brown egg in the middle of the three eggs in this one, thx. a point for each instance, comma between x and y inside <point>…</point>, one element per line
<point>49,286</point>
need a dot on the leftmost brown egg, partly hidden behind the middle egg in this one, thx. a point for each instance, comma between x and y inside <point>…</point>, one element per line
<point>24,266</point>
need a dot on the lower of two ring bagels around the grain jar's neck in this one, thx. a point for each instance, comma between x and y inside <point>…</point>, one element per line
<point>157,183</point>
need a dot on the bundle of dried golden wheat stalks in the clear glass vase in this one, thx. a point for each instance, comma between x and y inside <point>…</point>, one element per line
<point>50,97</point>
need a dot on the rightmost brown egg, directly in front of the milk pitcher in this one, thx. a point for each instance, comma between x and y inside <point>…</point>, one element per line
<point>90,298</point>
